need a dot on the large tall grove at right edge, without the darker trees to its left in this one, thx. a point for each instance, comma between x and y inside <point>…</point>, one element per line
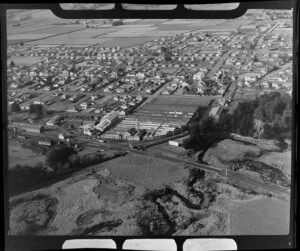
<point>274,110</point>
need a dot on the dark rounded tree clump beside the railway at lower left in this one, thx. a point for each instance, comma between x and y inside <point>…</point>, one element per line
<point>58,156</point>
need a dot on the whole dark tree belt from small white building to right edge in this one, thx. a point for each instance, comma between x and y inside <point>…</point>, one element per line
<point>274,110</point>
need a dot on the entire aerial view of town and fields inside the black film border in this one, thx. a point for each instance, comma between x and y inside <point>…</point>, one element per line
<point>149,127</point>
